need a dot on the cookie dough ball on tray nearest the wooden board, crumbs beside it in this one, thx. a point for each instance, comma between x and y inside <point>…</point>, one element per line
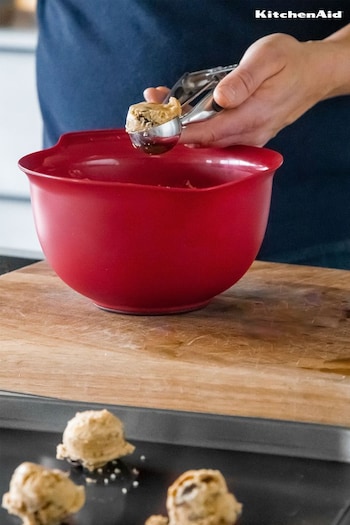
<point>93,438</point>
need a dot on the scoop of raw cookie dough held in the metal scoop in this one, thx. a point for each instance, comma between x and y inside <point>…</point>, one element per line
<point>145,115</point>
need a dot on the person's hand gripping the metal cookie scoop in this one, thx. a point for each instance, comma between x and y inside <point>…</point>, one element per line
<point>277,80</point>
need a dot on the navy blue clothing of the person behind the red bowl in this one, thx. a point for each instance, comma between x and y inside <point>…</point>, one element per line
<point>95,58</point>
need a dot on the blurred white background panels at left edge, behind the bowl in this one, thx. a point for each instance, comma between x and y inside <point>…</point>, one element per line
<point>20,133</point>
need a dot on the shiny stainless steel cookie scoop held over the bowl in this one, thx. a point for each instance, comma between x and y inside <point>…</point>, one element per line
<point>198,87</point>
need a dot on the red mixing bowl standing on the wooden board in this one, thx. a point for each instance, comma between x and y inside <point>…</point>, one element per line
<point>149,234</point>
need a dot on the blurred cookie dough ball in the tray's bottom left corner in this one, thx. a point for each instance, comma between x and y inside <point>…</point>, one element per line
<point>41,496</point>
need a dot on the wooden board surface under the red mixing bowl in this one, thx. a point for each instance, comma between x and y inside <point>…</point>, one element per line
<point>276,345</point>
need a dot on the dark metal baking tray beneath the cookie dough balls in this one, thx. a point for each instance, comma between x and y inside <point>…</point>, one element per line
<point>284,473</point>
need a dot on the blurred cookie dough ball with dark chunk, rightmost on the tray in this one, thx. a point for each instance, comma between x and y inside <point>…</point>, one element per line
<point>199,497</point>
